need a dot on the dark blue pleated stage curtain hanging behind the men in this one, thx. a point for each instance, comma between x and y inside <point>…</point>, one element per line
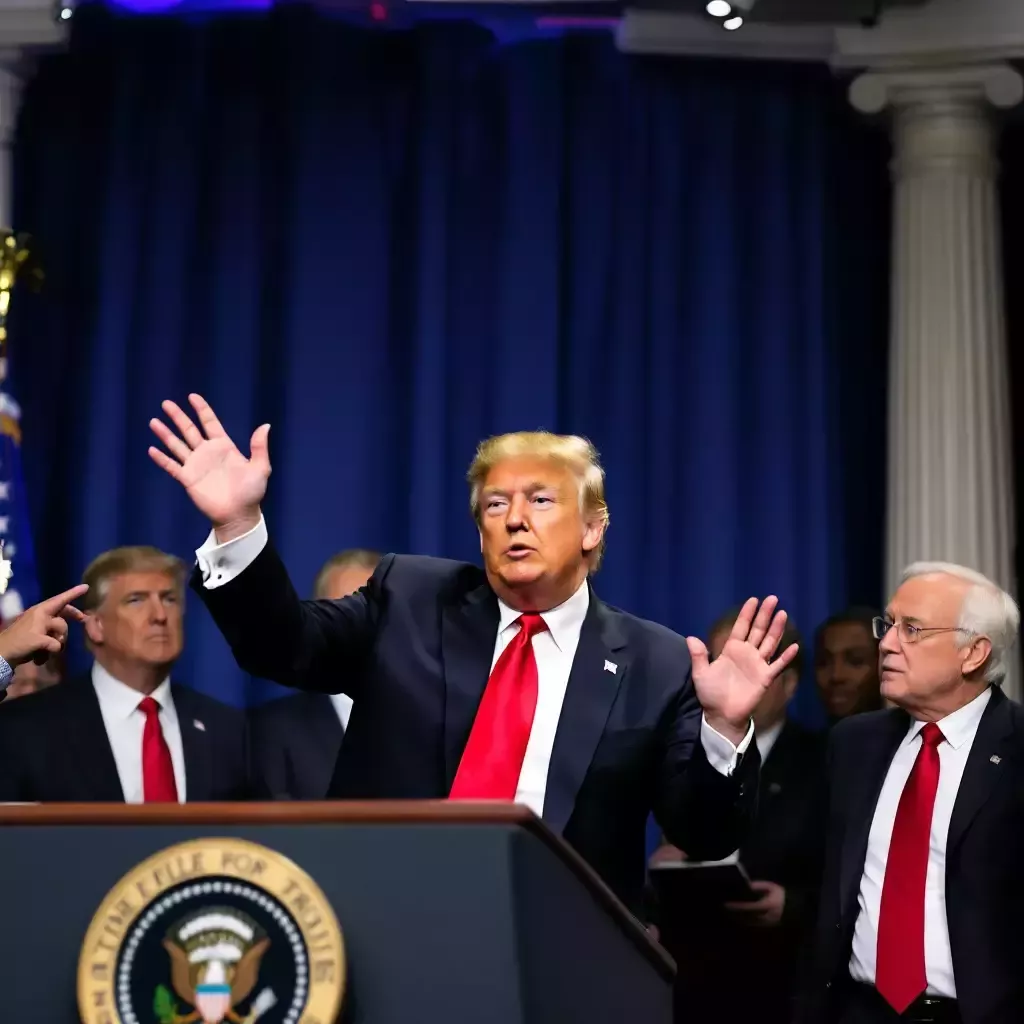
<point>393,244</point>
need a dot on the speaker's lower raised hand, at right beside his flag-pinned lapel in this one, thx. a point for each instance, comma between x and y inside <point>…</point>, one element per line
<point>731,688</point>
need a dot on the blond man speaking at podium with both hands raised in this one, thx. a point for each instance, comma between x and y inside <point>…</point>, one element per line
<point>513,684</point>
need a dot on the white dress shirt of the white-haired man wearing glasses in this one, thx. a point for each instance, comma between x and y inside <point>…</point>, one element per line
<point>959,731</point>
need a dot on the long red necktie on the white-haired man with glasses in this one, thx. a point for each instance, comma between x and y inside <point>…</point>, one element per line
<point>900,968</point>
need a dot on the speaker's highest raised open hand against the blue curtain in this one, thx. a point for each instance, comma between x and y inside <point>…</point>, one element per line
<point>224,485</point>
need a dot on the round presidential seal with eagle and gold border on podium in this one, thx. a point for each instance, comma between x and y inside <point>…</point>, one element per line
<point>212,931</point>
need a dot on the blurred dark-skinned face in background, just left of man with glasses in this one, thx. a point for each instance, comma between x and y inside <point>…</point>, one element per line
<point>846,669</point>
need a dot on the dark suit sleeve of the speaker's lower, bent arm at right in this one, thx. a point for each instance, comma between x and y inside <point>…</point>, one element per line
<point>703,812</point>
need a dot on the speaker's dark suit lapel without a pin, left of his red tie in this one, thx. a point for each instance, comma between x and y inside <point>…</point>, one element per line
<point>470,631</point>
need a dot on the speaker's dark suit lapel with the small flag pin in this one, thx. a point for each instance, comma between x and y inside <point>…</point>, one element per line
<point>591,693</point>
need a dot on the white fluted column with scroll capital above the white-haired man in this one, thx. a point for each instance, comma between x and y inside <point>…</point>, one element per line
<point>951,481</point>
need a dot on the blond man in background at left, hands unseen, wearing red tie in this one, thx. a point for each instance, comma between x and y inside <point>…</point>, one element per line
<point>125,733</point>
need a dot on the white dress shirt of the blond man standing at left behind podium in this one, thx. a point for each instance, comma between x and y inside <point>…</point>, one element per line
<point>125,724</point>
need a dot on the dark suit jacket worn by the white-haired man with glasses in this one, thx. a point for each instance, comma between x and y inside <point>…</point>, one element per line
<point>985,855</point>
